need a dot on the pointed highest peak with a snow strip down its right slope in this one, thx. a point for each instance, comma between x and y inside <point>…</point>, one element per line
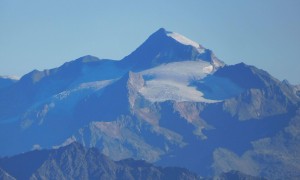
<point>164,47</point>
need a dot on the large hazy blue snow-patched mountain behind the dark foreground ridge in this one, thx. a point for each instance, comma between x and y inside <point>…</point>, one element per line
<point>170,102</point>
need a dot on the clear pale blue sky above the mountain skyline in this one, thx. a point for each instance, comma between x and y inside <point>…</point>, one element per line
<point>41,34</point>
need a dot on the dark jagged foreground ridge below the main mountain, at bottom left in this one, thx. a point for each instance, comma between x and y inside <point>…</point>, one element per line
<point>76,162</point>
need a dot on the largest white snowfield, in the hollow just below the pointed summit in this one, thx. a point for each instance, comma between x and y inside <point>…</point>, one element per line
<point>171,81</point>
